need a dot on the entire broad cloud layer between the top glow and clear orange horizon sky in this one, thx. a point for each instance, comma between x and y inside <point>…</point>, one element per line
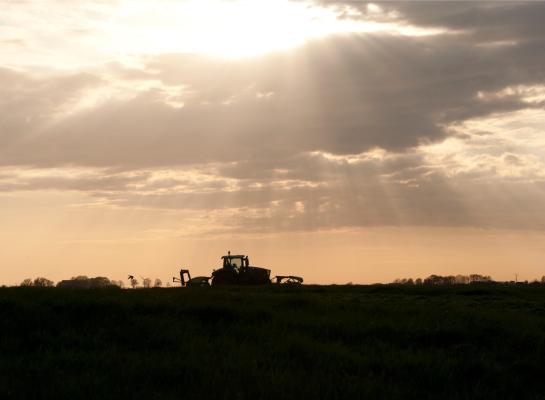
<point>347,130</point>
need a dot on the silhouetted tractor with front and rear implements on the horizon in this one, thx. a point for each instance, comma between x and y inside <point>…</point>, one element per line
<point>236,270</point>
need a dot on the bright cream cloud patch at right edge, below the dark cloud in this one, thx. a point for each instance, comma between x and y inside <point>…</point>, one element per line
<point>497,146</point>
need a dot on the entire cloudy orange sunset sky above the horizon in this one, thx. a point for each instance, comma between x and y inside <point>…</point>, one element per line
<point>343,141</point>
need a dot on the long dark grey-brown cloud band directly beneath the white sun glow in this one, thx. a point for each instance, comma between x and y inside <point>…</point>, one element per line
<point>343,95</point>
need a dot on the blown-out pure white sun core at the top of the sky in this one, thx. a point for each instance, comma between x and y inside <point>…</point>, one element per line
<point>232,29</point>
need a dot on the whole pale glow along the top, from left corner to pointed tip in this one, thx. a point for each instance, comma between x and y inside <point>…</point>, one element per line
<point>93,33</point>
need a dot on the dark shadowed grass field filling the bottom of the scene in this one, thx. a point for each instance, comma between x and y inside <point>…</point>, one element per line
<point>312,342</point>
